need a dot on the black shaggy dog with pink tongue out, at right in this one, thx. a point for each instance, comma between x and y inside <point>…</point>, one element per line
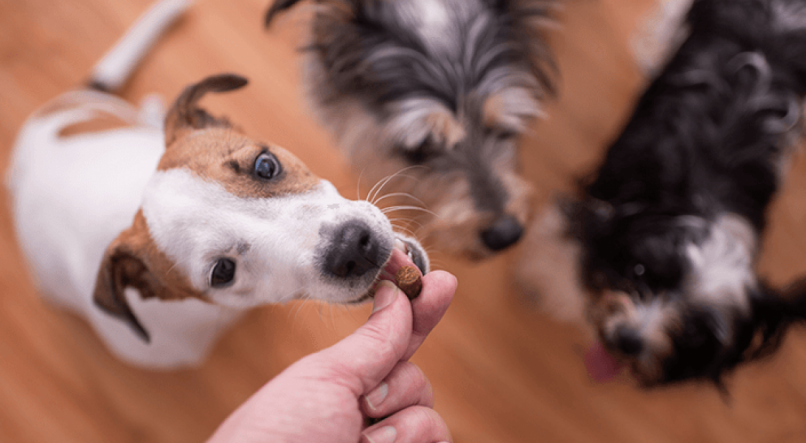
<point>665,238</point>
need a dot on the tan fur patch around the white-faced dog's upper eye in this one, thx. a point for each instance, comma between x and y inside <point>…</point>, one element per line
<point>226,156</point>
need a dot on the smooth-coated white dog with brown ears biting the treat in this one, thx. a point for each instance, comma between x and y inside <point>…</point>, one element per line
<point>161,237</point>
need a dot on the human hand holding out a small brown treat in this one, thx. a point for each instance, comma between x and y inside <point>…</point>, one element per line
<point>327,397</point>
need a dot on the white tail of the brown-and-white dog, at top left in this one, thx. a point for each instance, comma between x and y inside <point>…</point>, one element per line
<point>117,65</point>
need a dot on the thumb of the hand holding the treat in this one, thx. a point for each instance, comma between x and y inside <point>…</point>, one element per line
<point>365,358</point>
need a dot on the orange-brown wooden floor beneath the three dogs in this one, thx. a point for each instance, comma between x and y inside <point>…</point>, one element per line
<point>501,371</point>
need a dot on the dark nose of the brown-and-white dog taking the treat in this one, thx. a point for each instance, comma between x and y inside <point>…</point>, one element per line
<point>353,251</point>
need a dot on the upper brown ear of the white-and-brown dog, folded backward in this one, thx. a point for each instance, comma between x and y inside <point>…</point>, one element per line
<point>185,116</point>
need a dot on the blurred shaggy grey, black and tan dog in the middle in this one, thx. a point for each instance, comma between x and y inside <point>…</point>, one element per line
<point>433,95</point>
